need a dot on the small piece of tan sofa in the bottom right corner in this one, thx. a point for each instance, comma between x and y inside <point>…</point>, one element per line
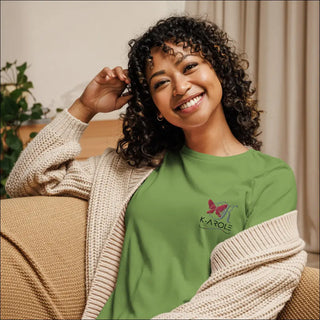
<point>304,303</point>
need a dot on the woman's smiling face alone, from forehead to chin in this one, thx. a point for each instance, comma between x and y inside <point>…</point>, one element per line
<point>184,87</point>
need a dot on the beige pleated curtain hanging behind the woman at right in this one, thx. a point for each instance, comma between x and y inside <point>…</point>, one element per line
<point>281,39</point>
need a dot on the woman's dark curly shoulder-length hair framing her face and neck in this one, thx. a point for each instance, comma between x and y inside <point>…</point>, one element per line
<point>143,136</point>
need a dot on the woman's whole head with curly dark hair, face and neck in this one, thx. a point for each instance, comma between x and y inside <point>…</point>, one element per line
<point>185,59</point>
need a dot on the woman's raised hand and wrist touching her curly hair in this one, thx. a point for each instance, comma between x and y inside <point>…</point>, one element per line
<point>102,94</point>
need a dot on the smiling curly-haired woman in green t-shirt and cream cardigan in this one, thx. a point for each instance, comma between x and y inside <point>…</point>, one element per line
<point>186,208</point>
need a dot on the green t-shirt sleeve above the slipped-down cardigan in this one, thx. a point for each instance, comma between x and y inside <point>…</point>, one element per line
<point>273,193</point>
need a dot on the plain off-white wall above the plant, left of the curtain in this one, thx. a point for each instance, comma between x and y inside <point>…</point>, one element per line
<point>66,43</point>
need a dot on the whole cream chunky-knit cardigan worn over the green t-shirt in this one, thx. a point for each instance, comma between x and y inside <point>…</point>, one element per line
<point>253,273</point>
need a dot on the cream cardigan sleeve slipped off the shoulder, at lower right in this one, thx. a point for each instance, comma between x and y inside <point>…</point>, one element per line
<point>253,274</point>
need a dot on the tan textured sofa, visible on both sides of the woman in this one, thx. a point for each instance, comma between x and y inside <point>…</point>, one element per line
<point>43,262</point>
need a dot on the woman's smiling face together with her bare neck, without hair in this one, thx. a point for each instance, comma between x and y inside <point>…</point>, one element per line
<point>188,93</point>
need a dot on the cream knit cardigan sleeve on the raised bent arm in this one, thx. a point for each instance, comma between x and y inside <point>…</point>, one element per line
<point>47,166</point>
